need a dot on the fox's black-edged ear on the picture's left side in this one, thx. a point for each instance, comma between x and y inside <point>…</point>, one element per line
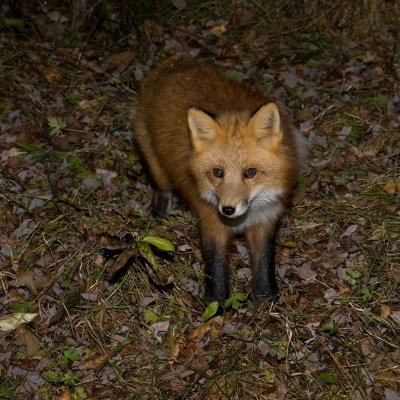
<point>204,129</point>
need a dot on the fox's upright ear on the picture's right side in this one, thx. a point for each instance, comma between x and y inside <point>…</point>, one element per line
<point>265,125</point>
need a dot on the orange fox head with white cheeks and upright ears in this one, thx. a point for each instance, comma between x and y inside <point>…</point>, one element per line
<point>238,160</point>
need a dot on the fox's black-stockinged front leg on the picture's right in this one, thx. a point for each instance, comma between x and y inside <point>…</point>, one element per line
<point>261,242</point>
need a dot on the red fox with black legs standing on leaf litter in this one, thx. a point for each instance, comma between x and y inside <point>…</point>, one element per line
<point>230,153</point>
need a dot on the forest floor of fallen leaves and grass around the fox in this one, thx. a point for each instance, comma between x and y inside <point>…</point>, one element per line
<point>99,300</point>
